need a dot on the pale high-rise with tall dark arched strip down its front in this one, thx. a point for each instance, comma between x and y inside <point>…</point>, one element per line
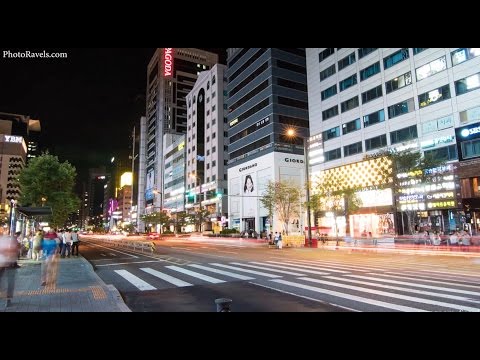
<point>206,142</point>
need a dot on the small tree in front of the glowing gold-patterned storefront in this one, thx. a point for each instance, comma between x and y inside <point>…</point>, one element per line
<point>336,194</point>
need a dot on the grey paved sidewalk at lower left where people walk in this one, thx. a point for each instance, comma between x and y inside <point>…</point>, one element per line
<point>77,289</point>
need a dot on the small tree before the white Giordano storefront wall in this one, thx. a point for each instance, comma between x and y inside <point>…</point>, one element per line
<point>283,197</point>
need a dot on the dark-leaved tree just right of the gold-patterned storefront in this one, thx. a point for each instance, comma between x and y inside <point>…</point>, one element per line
<point>415,165</point>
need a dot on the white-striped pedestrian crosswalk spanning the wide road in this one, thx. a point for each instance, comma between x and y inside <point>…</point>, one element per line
<point>360,286</point>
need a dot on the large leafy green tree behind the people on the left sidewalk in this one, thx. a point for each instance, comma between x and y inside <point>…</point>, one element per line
<point>47,182</point>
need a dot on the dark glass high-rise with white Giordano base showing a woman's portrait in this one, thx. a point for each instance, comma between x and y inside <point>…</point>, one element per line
<point>267,97</point>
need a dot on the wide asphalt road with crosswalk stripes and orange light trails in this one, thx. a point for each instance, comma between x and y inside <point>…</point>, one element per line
<point>189,274</point>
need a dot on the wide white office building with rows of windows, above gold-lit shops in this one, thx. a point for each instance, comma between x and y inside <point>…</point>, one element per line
<point>367,99</point>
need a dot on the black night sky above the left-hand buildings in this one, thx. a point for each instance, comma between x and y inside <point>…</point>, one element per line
<point>87,103</point>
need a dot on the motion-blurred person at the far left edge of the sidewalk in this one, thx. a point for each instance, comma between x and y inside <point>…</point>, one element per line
<point>9,248</point>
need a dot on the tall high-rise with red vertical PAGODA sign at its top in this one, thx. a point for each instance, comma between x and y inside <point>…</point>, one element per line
<point>171,74</point>
